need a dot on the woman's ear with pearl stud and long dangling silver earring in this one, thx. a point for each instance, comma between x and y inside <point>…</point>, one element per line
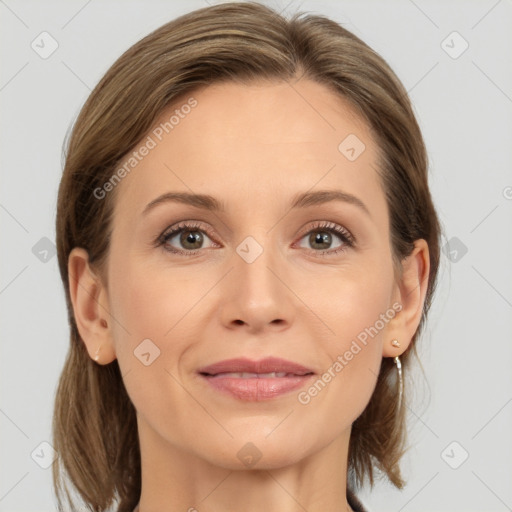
<point>410,293</point>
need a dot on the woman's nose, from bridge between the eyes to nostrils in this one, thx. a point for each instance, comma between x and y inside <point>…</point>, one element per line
<point>256,296</point>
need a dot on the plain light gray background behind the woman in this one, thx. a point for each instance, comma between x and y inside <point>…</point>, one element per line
<point>464,107</point>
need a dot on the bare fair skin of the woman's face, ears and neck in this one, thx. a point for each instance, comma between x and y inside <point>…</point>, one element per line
<point>253,147</point>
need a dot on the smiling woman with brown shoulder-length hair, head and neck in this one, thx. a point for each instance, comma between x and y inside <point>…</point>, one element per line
<point>249,250</point>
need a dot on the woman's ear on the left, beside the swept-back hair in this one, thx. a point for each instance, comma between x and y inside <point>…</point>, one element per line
<point>90,307</point>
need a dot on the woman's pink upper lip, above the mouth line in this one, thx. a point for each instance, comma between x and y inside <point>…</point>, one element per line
<point>244,365</point>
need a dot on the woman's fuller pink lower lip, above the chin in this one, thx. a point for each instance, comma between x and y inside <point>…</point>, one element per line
<point>254,389</point>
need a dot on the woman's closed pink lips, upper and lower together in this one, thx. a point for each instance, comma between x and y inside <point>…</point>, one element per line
<point>256,388</point>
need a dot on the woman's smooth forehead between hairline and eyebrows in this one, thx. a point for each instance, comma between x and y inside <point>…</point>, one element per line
<point>262,139</point>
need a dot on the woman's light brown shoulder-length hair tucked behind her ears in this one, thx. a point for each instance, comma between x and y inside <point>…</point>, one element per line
<point>94,432</point>
